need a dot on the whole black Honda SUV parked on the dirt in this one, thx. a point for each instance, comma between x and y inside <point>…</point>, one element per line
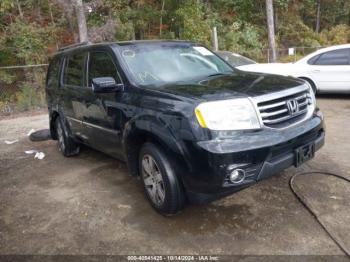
<point>192,127</point>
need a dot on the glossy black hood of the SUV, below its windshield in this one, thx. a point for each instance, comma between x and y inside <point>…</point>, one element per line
<point>238,84</point>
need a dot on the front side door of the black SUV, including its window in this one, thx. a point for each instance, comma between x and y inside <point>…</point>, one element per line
<point>103,117</point>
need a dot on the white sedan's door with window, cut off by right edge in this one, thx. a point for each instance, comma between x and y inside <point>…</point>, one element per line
<point>331,71</point>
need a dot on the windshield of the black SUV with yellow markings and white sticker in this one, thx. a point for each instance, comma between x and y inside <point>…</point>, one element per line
<point>164,63</point>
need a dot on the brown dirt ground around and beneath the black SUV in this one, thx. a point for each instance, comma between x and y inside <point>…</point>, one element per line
<point>90,205</point>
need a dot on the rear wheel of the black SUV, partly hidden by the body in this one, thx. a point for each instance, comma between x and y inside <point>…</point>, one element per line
<point>65,143</point>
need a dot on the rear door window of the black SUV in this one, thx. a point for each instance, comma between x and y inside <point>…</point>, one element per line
<point>74,70</point>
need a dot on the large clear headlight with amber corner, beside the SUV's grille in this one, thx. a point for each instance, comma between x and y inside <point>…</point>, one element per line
<point>233,114</point>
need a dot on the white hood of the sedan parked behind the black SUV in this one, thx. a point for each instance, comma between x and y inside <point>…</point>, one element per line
<point>272,68</point>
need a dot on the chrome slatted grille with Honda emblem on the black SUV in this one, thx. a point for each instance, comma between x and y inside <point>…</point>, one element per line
<point>285,110</point>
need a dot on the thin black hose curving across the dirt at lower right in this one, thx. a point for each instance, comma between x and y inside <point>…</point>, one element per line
<point>338,242</point>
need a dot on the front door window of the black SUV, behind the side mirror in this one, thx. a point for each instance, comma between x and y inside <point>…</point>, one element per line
<point>102,65</point>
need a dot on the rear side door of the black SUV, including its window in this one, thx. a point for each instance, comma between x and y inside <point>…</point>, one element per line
<point>75,91</point>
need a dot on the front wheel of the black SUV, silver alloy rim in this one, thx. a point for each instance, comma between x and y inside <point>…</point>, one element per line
<point>158,175</point>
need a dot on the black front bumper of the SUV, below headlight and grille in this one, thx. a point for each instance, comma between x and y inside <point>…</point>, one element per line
<point>261,154</point>
